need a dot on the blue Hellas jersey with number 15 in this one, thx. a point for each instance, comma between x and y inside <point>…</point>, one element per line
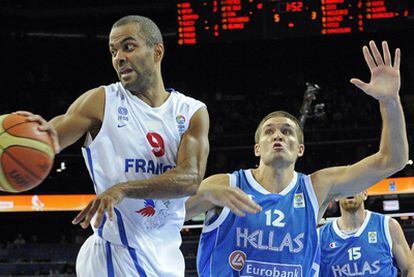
<point>365,253</point>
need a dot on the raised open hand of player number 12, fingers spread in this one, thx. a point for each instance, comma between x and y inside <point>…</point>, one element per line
<point>385,76</point>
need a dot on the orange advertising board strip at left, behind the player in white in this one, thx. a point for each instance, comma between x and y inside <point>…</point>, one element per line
<point>33,203</point>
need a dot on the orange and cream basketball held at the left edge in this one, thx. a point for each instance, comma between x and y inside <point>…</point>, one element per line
<point>26,154</point>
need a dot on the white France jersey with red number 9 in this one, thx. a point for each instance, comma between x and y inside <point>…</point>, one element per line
<point>136,142</point>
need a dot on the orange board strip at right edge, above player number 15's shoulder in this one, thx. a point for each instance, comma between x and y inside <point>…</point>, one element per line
<point>393,186</point>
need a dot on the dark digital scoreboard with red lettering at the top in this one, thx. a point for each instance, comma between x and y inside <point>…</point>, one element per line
<point>204,21</point>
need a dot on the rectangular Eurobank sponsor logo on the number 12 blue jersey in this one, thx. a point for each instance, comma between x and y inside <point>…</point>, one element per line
<point>256,268</point>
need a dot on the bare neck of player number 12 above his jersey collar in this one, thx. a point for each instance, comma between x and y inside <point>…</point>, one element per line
<point>273,179</point>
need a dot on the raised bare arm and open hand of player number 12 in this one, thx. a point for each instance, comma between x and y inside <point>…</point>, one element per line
<point>392,156</point>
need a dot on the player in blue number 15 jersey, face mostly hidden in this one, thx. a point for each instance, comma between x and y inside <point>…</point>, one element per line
<point>363,243</point>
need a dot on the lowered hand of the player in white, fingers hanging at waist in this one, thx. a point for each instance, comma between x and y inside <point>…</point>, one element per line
<point>103,203</point>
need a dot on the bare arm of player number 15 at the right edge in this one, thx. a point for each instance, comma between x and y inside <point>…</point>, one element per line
<point>400,249</point>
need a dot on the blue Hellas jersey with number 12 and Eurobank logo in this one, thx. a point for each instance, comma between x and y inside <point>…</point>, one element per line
<point>281,240</point>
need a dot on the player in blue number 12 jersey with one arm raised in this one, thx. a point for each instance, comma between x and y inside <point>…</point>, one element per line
<point>281,239</point>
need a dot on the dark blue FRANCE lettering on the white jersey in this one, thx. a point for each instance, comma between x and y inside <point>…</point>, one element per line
<point>146,166</point>
